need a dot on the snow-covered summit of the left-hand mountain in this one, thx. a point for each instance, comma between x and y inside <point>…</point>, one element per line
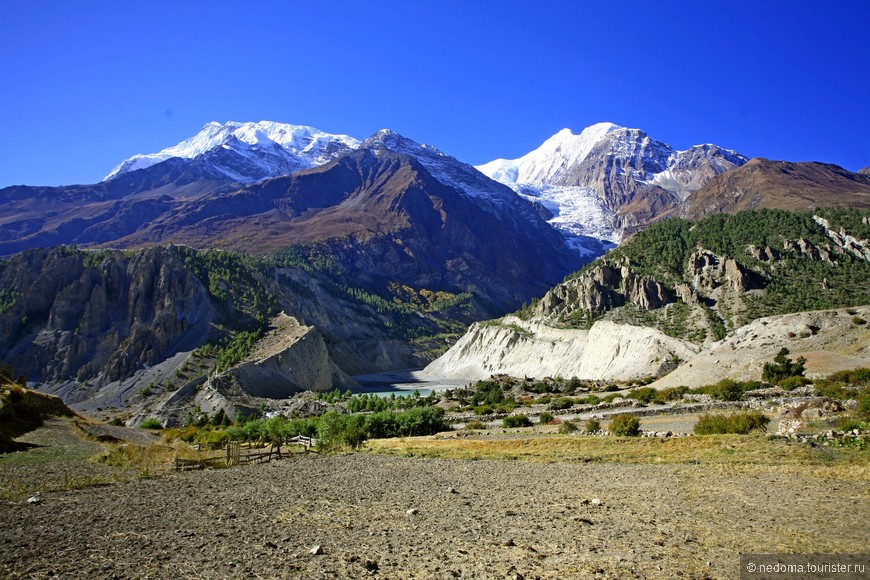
<point>249,152</point>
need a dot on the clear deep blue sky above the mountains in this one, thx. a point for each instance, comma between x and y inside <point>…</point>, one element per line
<point>87,84</point>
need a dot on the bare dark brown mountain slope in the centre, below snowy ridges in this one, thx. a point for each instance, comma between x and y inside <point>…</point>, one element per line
<point>385,218</point>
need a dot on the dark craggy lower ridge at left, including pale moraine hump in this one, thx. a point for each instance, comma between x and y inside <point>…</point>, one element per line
<point>163,327</point>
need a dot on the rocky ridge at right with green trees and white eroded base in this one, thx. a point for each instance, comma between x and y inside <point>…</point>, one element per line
<point>665,289</point>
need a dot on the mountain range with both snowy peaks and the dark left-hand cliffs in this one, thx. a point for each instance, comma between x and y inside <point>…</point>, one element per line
<point>379,250</point>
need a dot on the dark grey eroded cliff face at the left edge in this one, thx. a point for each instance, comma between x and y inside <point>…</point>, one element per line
<point>100,315</point>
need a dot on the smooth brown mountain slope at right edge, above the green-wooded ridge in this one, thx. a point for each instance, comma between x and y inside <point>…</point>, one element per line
<point>762,183</point>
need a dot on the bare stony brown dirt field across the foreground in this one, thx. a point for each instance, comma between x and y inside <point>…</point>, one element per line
<point>400,517</point>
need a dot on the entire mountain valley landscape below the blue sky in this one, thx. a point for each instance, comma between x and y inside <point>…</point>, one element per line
<point>605,358</point>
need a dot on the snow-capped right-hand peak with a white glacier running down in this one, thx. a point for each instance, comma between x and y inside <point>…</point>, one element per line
<point>609,179</point>
